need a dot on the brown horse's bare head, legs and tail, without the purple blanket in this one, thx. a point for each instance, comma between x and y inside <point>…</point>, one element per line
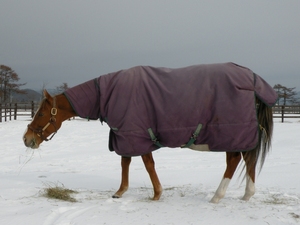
<point>54,110</point>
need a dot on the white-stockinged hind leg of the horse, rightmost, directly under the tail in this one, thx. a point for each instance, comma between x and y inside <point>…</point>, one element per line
<point>250,179</point>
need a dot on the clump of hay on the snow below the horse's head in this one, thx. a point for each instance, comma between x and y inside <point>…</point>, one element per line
<point>60,193</point>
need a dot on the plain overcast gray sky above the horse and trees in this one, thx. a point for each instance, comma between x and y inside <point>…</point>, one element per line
<point>51,42</point>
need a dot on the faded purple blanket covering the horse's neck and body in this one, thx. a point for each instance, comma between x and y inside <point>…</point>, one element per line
<point>148,108</point>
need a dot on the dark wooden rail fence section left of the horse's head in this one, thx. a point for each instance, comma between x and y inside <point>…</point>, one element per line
<point>11,111</point>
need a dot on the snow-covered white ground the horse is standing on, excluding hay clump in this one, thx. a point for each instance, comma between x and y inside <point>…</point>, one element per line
<point>78,158</point>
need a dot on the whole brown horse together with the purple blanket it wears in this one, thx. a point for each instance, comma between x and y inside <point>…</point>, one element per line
<point>211,107</point>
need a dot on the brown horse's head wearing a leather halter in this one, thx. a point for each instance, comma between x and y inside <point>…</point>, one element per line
<point>46,121</point>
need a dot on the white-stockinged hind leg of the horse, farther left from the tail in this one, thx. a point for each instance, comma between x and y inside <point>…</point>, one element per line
<point>232,160</point>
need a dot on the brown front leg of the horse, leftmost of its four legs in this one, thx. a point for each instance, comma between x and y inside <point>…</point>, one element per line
<point>125,162</point>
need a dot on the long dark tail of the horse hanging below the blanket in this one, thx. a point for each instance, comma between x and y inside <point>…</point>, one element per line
<point>265,121</point>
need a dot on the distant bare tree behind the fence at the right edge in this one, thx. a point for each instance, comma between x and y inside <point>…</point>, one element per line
<point>286,95</point>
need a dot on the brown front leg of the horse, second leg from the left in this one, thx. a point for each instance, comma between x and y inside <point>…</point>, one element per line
<point>150,167</point>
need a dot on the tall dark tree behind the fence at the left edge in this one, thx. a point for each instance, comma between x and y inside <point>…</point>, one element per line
<point>8,85</point>
